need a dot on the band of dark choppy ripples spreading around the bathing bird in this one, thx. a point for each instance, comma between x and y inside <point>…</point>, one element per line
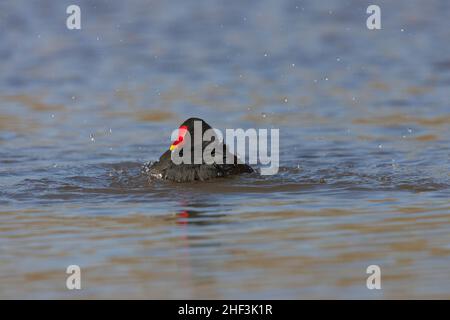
<point>125,180</point>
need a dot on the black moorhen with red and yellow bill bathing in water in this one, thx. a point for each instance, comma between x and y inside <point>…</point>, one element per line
<point>165,168</point>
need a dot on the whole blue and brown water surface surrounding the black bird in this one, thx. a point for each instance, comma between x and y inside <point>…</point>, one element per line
<point>364,119</point>
